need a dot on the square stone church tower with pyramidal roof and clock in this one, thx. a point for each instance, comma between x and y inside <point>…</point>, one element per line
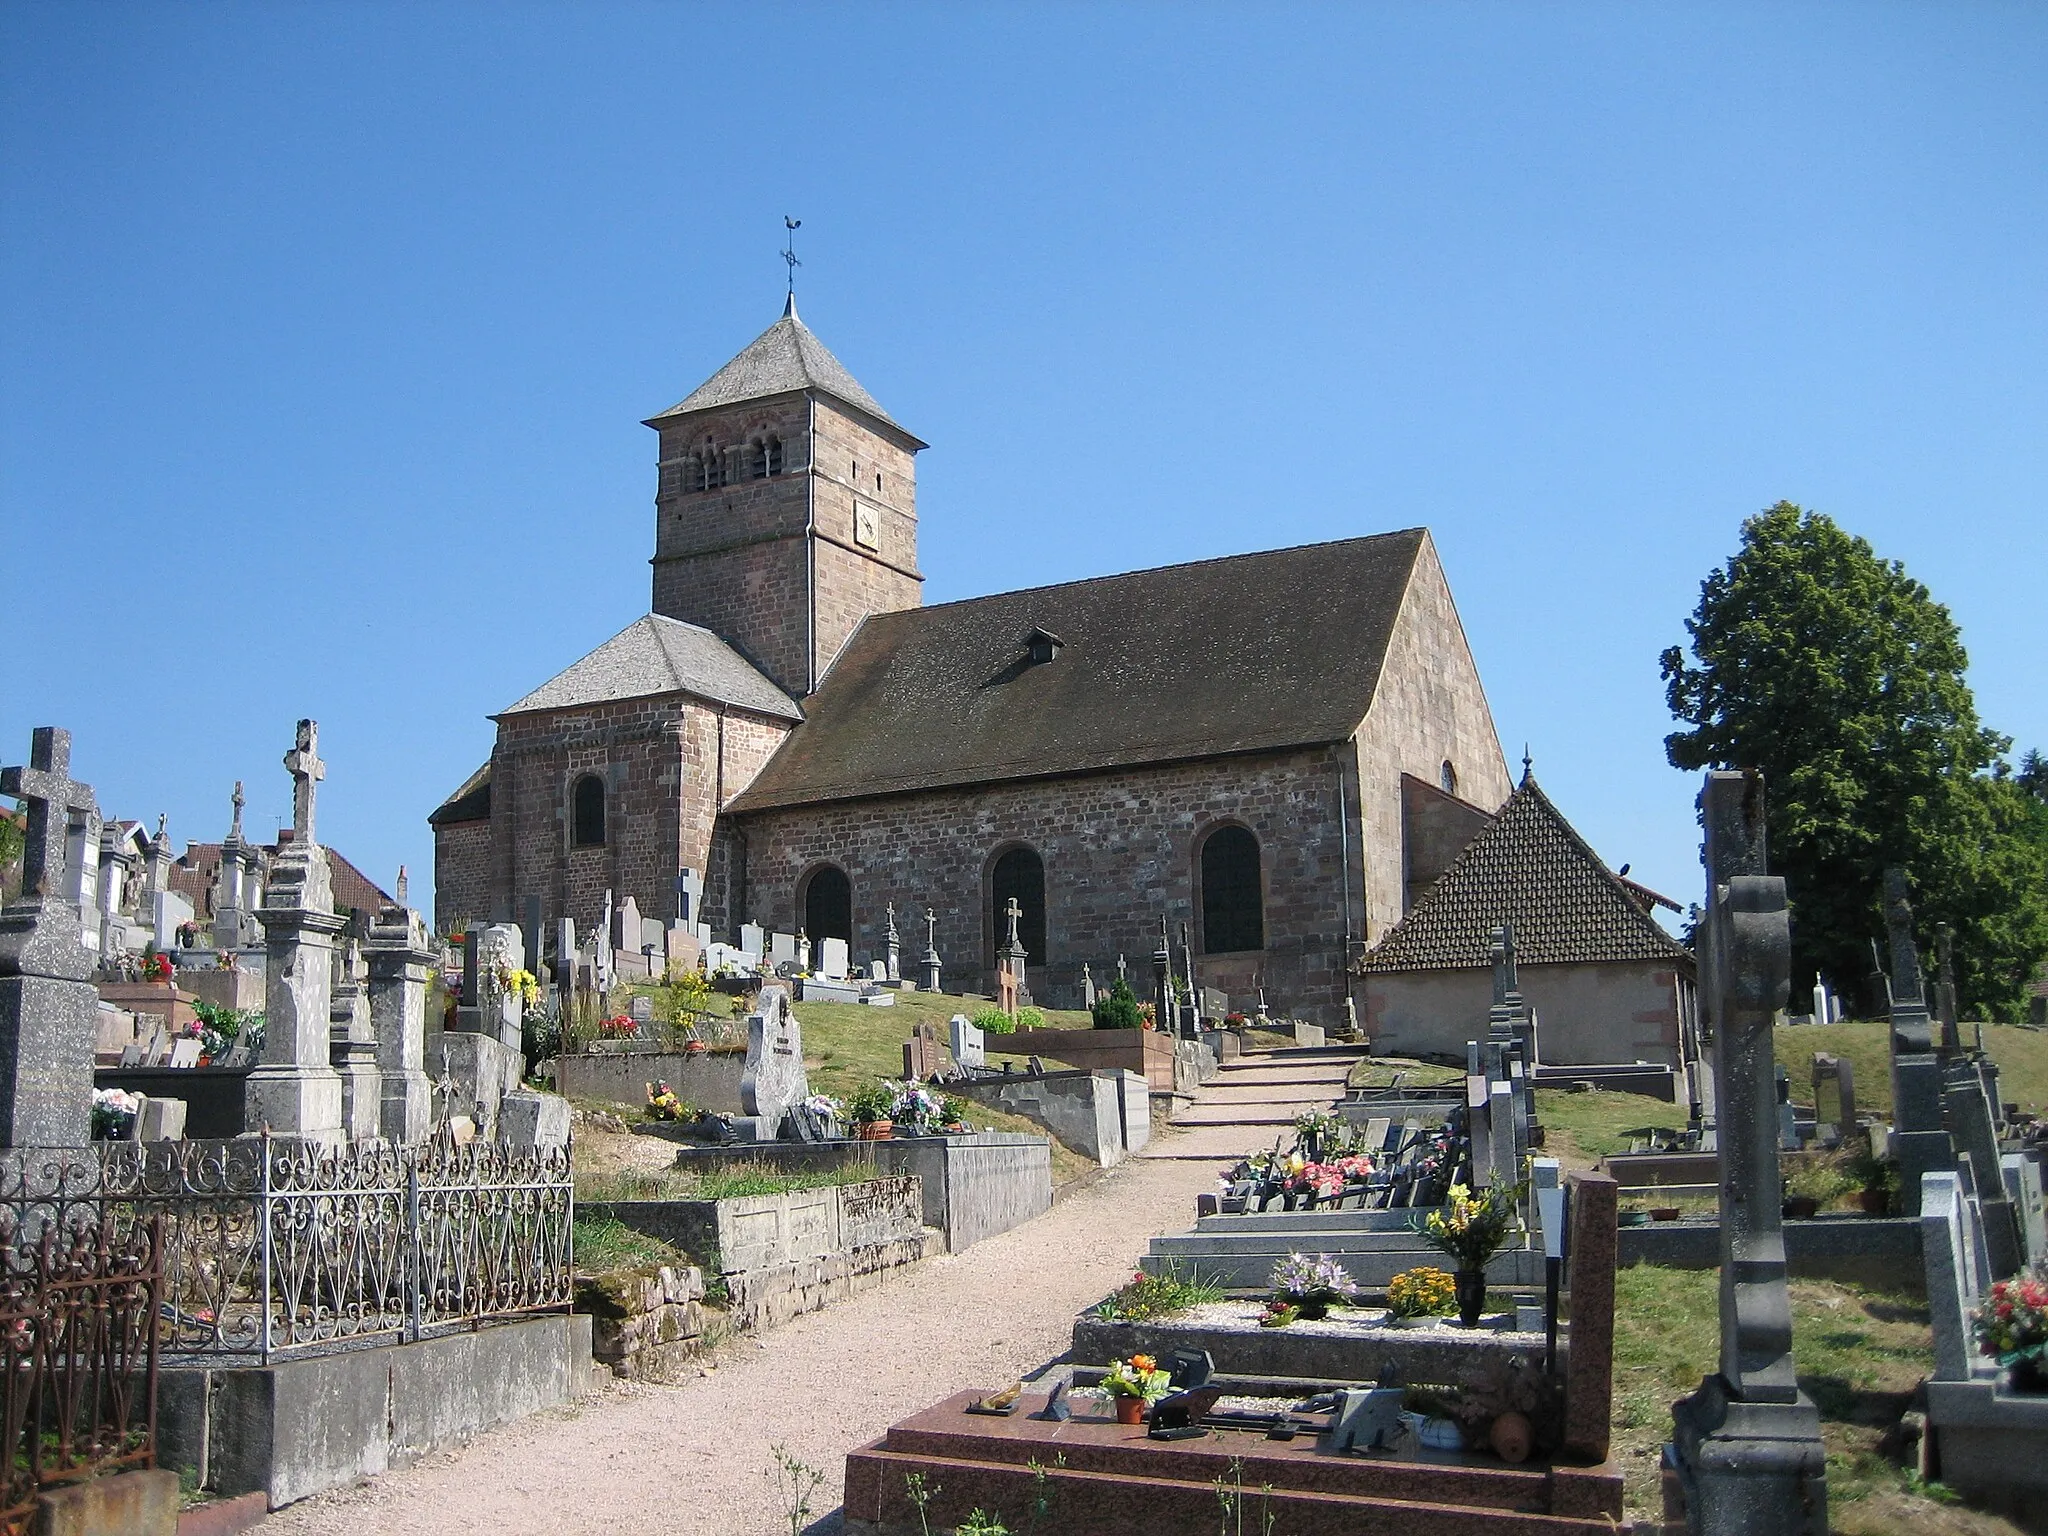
<point>787,507</point>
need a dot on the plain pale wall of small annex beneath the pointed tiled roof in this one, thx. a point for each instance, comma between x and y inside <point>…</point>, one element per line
<point>1586,1013</point>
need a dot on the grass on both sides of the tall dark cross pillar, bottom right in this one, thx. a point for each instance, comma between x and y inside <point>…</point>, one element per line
<point>1861,1355</point>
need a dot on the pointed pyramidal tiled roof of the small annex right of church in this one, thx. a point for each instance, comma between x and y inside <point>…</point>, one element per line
<point>1531,869</point>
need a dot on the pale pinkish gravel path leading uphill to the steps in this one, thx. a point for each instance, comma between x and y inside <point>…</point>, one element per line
<point>695,1459</point>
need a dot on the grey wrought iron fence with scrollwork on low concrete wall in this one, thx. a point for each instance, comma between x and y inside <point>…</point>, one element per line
<point>275,1248</point>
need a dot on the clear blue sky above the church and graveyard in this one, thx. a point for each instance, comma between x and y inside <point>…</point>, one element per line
<point>327,335</point>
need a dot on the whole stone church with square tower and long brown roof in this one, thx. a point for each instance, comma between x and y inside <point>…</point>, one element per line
<point>1256,749</point>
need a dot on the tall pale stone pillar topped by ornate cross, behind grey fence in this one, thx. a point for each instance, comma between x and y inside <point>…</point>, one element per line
<point>296,1091</point>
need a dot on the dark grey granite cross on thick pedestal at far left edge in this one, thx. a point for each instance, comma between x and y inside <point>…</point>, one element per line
<point>48,1007</point>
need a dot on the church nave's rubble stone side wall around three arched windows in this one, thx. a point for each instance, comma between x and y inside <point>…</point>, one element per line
<point>1119,849</point>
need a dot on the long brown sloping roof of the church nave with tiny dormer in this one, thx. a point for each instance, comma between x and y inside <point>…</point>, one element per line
<point>1242,654</point>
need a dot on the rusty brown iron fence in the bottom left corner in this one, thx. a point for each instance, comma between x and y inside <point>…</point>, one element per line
<point>79,1351</point>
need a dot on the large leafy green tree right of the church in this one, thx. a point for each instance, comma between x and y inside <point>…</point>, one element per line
<point>1842,679</point>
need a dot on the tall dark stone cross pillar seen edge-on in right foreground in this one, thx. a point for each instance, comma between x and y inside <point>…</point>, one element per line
<point>1748,1445</point>
